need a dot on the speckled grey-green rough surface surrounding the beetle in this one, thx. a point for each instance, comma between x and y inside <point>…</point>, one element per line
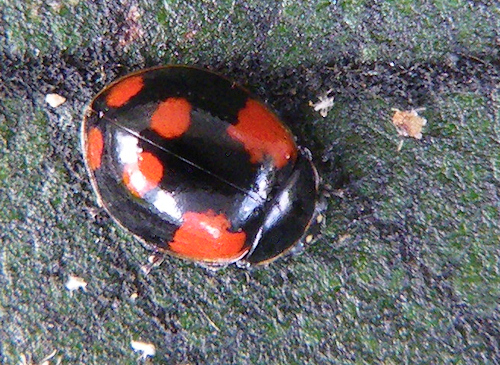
<point>407,270</point>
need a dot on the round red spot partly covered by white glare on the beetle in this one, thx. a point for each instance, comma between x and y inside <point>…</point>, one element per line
<point>143,175</point>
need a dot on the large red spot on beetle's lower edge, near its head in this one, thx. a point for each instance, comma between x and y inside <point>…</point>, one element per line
<point>206,236</point>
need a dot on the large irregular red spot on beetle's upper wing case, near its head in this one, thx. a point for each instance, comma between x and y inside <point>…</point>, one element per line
<point>262,134</point>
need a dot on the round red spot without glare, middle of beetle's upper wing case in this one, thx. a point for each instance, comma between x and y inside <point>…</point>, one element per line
<point>172,118</point>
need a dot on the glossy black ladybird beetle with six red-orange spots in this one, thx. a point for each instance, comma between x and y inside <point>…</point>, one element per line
<point>195,166</point>
